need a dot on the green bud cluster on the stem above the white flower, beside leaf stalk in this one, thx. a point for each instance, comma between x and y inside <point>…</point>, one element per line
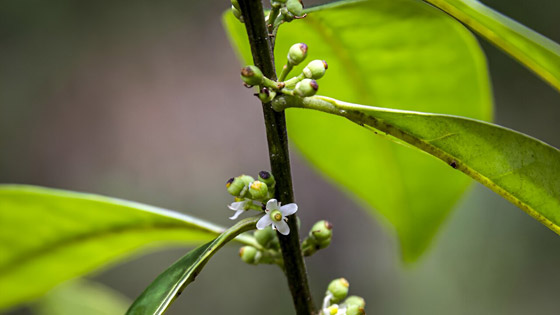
<point>302,85</point>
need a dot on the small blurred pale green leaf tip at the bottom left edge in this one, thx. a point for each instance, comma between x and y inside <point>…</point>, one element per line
<point>82,297</point>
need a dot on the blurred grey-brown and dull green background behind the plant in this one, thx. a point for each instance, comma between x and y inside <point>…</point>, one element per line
<point>142,100</point>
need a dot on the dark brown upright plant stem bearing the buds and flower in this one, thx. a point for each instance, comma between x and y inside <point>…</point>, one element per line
<point>277,138</point>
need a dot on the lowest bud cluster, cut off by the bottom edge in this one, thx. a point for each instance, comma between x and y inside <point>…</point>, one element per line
<point>337,302</point>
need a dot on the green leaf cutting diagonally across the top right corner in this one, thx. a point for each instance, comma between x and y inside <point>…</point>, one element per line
<point>536,52</point>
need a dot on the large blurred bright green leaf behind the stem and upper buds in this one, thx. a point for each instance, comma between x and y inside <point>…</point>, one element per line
<point>392,53</point>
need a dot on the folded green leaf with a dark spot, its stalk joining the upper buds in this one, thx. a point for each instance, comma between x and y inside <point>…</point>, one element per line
<point>523,170</point>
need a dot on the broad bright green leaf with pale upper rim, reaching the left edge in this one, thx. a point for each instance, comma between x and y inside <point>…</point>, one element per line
<point>48,236</point>
